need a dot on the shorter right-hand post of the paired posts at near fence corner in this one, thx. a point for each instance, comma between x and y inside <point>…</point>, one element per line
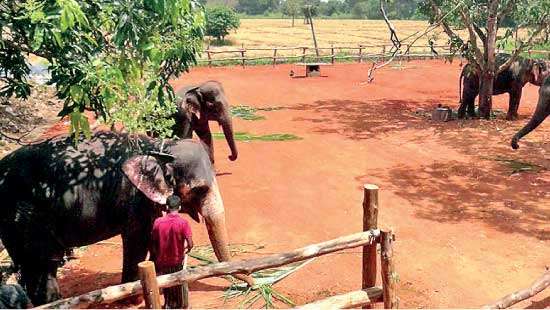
<point>389,276</point>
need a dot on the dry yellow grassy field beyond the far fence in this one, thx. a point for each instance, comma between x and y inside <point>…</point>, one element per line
<point>269,33</point>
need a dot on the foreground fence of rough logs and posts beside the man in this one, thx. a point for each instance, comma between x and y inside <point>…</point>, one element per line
<point>369,293</point>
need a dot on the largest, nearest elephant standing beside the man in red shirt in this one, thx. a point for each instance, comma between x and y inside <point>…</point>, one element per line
<point>56,195</point>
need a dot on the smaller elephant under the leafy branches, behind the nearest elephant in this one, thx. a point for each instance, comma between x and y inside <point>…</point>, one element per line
<point>197,106</point>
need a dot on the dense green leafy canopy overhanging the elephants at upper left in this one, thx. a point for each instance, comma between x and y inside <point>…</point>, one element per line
<point>111,57</point>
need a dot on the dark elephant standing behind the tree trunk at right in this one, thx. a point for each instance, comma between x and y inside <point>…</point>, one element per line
<point>509,81</point>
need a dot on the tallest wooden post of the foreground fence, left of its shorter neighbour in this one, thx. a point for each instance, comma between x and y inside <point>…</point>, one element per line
<point>370,221</point>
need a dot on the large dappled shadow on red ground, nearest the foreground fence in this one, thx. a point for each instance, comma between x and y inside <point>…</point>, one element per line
<point>455,192</point>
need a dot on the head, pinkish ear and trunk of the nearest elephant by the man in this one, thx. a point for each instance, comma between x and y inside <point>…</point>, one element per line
<point>184,169</point>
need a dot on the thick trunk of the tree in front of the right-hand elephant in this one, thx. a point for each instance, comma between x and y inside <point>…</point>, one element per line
<point>488,71</point>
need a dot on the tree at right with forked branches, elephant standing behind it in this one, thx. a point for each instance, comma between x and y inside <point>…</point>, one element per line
<point>482,19</point>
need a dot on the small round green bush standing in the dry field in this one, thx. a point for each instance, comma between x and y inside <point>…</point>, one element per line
<point>220,20</point>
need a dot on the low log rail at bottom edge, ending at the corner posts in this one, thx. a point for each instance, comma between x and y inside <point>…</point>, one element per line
<point>347,300</point>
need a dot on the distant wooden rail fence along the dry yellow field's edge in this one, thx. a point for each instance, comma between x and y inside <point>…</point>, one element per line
<point>359,53</point>
